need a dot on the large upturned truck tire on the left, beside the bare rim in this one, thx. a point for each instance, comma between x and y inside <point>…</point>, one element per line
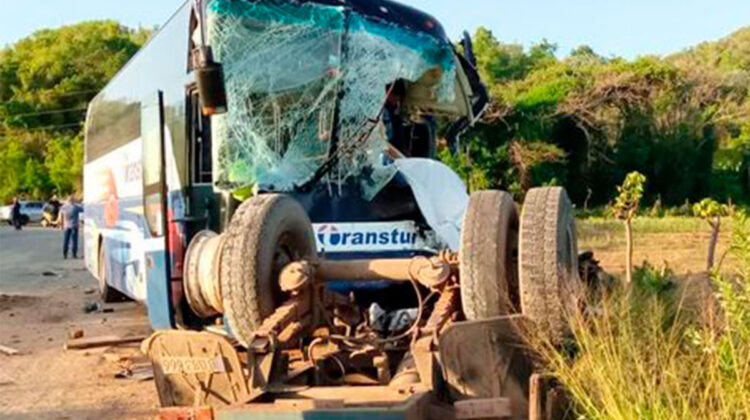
<point>266,233</point>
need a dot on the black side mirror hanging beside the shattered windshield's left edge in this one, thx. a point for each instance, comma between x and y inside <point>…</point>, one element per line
<point>210,79</point>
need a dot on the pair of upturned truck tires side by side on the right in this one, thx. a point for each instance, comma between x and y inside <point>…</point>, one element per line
<point>527,264</point>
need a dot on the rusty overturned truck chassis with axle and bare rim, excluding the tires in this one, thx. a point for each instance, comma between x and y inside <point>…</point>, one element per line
<point>318,350</point>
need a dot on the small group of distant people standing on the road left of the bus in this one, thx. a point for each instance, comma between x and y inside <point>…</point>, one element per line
<point>65,215</point>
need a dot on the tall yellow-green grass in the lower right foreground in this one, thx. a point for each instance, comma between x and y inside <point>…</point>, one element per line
<point>663,348</point>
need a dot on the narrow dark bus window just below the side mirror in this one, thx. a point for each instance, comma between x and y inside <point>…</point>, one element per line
<point>200,142</point>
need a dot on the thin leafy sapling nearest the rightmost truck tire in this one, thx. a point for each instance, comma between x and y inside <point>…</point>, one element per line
<point>625,208</point>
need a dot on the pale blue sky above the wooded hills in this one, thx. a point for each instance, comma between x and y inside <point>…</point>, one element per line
<point>627,28</point>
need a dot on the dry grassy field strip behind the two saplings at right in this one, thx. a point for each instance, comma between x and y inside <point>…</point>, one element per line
<point>679,242</point>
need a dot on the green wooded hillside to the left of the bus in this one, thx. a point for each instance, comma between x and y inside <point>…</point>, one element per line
<point>46,82</point>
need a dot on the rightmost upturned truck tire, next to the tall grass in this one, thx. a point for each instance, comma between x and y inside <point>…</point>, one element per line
<point>549,281</point>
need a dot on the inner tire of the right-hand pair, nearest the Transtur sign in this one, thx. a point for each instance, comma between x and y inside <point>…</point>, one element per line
<point>488,257</point>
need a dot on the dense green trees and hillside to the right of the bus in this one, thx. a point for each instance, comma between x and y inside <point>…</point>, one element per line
<point>586,120</point>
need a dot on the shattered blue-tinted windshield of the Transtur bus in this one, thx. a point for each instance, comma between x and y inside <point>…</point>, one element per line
<point>307,83</point>
